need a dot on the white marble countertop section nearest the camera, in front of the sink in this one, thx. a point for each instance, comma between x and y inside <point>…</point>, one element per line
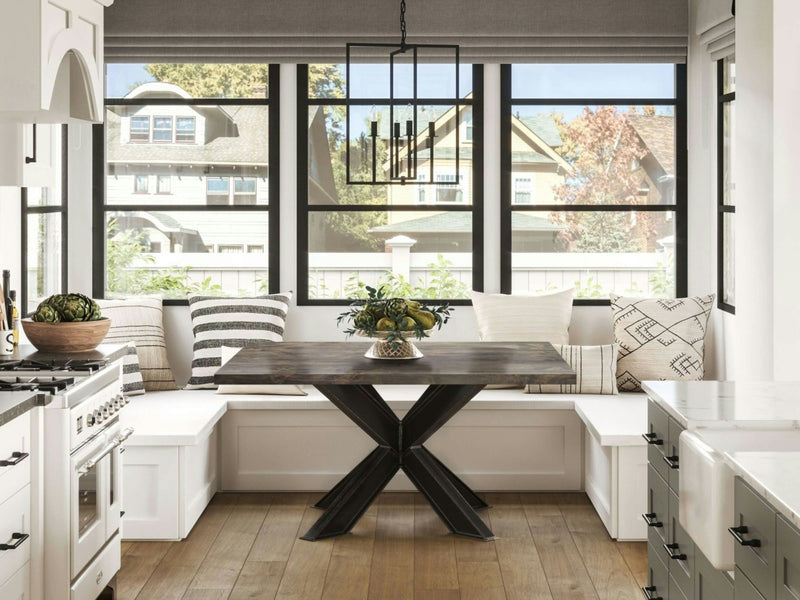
<point>774,475</point>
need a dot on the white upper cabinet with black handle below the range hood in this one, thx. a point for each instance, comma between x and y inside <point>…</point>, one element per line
<point>29,154</point>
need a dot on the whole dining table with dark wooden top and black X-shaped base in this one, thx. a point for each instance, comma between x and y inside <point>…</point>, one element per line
<point>454,373</point>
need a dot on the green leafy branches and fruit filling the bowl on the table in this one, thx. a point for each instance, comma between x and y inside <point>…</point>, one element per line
<point>378,315</point>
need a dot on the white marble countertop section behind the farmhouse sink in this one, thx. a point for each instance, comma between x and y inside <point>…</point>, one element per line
<point>724,404</point>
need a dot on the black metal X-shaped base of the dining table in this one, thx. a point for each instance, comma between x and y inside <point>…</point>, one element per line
<point>400,446</point>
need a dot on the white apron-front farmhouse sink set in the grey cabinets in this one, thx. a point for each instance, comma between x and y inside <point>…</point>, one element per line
<point>706,483</point>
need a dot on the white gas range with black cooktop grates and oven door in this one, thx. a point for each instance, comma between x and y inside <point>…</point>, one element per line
<point>82,470</point>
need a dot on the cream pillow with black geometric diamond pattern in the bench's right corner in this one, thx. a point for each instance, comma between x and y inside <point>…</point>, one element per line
<point>659,339</point>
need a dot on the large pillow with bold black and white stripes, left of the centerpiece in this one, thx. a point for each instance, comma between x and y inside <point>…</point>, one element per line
<point>234,323</point>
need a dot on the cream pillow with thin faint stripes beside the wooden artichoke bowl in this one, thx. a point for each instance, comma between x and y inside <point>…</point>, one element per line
<point>140,320</point>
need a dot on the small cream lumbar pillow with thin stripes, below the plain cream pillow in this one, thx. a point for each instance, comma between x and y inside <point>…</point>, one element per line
<point>595,367</point>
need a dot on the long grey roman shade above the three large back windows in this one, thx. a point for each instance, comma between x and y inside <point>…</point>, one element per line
<point>316,31</point>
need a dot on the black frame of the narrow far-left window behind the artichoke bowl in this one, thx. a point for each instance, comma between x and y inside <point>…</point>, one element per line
<point>61,208</point>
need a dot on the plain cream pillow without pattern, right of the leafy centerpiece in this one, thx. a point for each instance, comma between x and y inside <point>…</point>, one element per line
<point>518,318</point>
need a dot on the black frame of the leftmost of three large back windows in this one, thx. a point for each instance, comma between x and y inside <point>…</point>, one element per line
<point>100,208</point>
